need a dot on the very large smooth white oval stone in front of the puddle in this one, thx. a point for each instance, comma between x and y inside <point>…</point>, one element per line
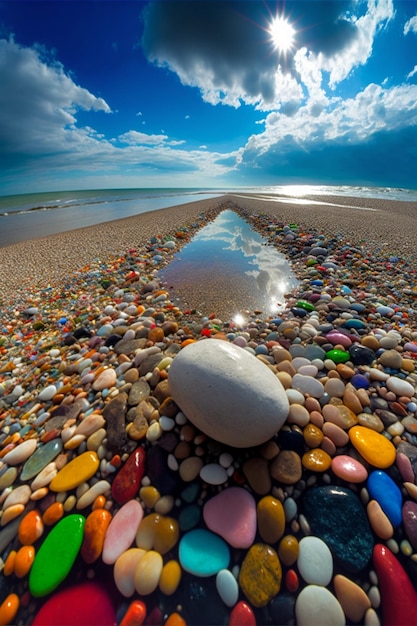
<point>228,393</point>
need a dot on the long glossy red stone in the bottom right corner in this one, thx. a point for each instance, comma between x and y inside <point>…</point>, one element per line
<point>398,597</point>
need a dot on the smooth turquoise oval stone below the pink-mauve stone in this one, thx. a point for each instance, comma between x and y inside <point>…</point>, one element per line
<point>203,553</point>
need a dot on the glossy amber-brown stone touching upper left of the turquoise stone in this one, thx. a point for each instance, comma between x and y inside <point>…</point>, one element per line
<point>157,532</point>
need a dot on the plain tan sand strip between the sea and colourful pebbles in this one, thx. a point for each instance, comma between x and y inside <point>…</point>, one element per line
<point>25,267</point>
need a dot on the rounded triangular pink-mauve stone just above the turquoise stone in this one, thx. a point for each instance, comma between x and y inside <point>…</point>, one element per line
<point>232,515</point>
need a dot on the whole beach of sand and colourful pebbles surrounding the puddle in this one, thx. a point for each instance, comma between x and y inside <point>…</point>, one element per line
<point>317,518</point>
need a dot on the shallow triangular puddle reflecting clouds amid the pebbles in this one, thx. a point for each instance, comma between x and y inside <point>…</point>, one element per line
<point>229,269</point>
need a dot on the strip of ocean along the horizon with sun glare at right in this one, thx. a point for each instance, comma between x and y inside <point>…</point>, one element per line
<point>29,216</point>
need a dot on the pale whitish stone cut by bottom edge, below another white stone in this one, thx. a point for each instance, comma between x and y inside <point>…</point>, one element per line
<point>317,606</point>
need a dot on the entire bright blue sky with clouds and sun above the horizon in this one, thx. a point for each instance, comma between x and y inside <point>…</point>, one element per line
<point>111,94</point>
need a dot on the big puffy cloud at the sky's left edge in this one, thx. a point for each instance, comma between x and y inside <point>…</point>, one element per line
<point>39,104</point>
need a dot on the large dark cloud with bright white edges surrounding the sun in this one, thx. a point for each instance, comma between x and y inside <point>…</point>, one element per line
<point>224,49</point>
